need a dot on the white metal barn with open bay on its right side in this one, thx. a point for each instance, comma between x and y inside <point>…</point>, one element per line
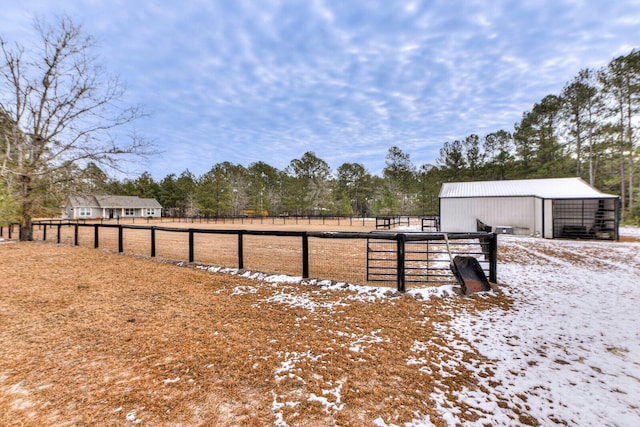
<point>551,208</point>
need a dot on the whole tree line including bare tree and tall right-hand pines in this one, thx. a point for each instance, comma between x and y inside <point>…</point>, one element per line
<point>56,114</point>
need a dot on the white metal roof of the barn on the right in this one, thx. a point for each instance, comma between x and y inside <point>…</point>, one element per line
<point>552,188</point>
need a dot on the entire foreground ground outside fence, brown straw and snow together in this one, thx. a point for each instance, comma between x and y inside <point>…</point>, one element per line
<point>92,337</point>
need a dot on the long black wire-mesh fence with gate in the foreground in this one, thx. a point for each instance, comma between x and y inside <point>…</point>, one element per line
<point>407,258</point>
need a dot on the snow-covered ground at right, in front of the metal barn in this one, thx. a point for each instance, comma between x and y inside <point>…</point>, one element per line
<point>570,347</point>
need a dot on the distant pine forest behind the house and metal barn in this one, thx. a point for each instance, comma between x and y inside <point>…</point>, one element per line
<point>590,130</point>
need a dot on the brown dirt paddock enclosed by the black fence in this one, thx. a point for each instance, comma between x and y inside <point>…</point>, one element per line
<point>255,245</point>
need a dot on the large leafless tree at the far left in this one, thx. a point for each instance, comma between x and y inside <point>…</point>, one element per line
<point>62,109</point>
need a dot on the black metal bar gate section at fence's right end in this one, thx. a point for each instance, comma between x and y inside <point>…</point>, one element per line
<point>423,258</point>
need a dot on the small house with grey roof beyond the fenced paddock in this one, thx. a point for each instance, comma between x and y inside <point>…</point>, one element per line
<point>107,207</point>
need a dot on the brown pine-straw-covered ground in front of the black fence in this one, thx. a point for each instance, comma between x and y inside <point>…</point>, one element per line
<point>90,337</point>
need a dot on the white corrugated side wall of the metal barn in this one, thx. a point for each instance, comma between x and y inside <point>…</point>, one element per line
<point>460,214</point>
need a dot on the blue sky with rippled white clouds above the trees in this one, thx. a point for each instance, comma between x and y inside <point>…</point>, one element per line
<point>245,81</point>
